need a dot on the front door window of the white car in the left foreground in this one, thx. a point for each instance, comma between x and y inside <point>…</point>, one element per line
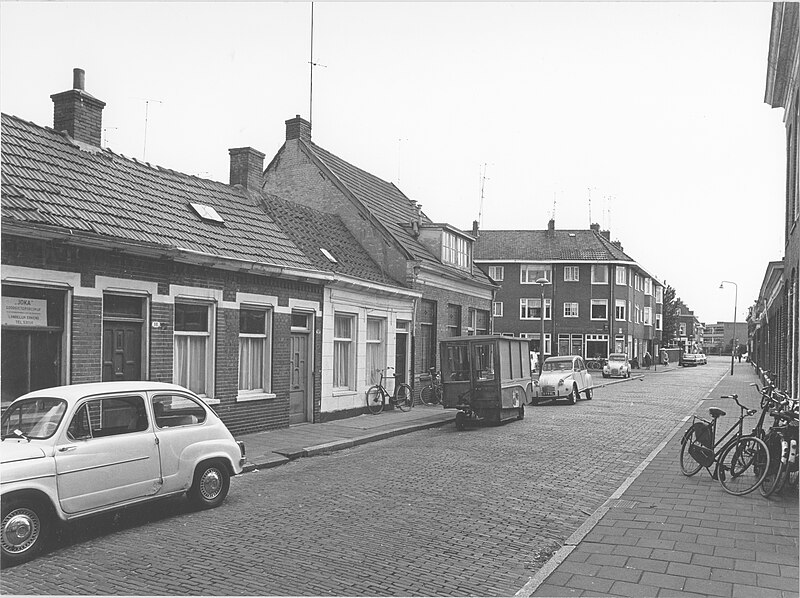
<point>108,416</point>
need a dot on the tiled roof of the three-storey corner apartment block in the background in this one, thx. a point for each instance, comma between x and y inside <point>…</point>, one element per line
<point>545,245</point>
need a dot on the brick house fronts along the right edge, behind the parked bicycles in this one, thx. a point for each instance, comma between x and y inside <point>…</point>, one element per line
<point>775,318</point>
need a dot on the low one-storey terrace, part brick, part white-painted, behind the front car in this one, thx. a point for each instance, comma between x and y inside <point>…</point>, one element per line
<point>113,269</point>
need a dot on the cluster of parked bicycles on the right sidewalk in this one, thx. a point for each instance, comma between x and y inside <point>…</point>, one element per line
<point>765,458</point>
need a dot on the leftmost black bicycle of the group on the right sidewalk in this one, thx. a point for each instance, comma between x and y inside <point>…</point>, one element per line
<point>741,462</point>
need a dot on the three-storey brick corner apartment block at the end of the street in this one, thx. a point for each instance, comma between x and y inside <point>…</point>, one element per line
<point>597,299</point>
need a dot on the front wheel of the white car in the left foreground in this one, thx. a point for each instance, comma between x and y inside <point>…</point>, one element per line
<point>25,529</point>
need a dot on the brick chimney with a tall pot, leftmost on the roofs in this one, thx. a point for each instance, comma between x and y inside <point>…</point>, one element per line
<point>78,113</point>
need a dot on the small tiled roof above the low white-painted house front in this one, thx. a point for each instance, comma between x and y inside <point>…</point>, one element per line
<point>312,230</point>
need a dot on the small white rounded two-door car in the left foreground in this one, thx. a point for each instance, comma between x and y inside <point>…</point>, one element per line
<point>77,450</point>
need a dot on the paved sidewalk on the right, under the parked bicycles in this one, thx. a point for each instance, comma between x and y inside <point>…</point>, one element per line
<point>664,534</point>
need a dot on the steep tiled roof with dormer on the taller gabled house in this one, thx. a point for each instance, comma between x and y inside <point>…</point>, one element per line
<point>390,206</point>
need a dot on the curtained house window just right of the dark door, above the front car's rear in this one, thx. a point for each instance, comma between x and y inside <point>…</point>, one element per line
<point>193,347</point>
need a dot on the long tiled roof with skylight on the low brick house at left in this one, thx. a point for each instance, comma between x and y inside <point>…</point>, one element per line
<point>48,181</point>
